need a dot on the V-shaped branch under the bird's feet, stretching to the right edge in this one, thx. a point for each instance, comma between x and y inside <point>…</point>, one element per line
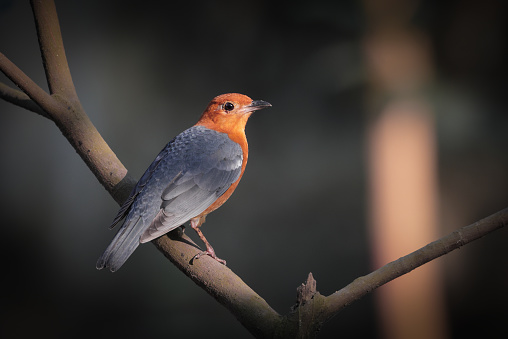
<point>313,309</point>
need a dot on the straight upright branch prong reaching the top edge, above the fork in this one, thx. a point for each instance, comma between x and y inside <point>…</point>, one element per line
<point>57,70</point>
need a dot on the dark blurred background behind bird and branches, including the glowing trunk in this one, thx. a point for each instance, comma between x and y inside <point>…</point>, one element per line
<point>387,131</point>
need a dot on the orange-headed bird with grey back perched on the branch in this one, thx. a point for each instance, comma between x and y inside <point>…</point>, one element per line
<point>192,176</point>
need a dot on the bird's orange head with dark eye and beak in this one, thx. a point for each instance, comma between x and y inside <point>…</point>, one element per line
<point>228,113</point>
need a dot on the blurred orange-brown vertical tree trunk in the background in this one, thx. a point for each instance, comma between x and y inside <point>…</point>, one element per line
<point>402,160</point>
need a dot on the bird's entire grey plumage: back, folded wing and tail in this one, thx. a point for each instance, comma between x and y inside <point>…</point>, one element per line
<point>188,175</point>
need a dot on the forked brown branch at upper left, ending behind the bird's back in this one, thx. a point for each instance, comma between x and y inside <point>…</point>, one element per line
<point>63,107</point>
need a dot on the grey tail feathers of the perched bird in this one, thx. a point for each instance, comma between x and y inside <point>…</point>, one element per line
<point>122,246</point>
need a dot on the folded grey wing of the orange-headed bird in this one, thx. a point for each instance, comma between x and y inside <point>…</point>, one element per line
<point>214,163</point>
